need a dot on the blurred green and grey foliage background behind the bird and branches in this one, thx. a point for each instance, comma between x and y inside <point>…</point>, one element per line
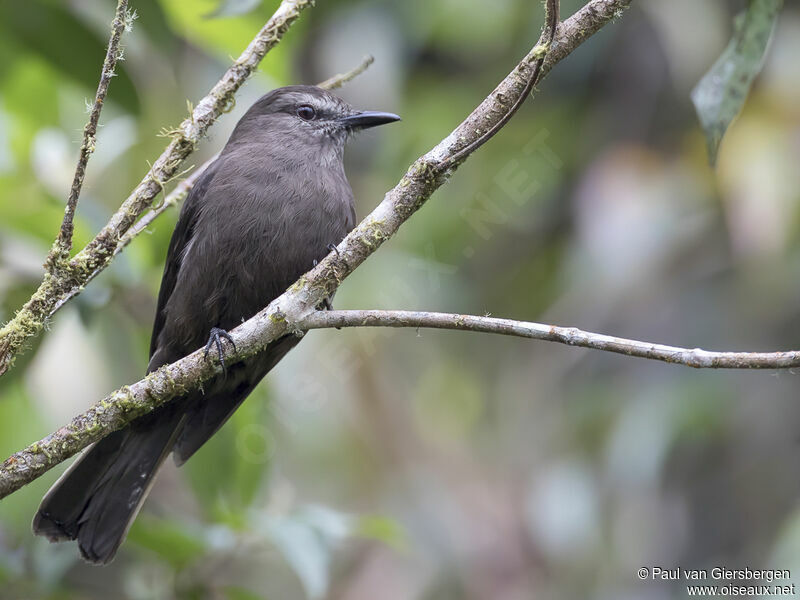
<point>421,464</point>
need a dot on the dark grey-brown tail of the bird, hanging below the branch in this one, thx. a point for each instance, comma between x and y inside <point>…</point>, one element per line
<point>97,498</point>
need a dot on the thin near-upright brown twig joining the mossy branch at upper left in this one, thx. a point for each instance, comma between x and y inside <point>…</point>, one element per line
<point>63,244</point>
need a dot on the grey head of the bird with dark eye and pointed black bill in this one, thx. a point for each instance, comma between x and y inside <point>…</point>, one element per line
<point>304,114</point>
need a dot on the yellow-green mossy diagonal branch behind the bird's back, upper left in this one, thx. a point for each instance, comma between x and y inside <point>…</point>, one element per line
<point>70,279</point>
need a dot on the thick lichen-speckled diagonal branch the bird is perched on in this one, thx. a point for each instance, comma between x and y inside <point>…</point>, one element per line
<point>283,313</point>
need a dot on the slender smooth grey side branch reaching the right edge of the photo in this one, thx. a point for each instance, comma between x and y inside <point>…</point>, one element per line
<point>571,336</point>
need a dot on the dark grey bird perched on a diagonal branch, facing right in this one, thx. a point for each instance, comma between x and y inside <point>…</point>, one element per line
<point>258,218</point>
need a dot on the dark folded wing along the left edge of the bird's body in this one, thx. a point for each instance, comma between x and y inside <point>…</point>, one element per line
<point>180,238</point>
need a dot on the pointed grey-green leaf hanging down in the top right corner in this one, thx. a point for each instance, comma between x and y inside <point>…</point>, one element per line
<point>720,94</point>
